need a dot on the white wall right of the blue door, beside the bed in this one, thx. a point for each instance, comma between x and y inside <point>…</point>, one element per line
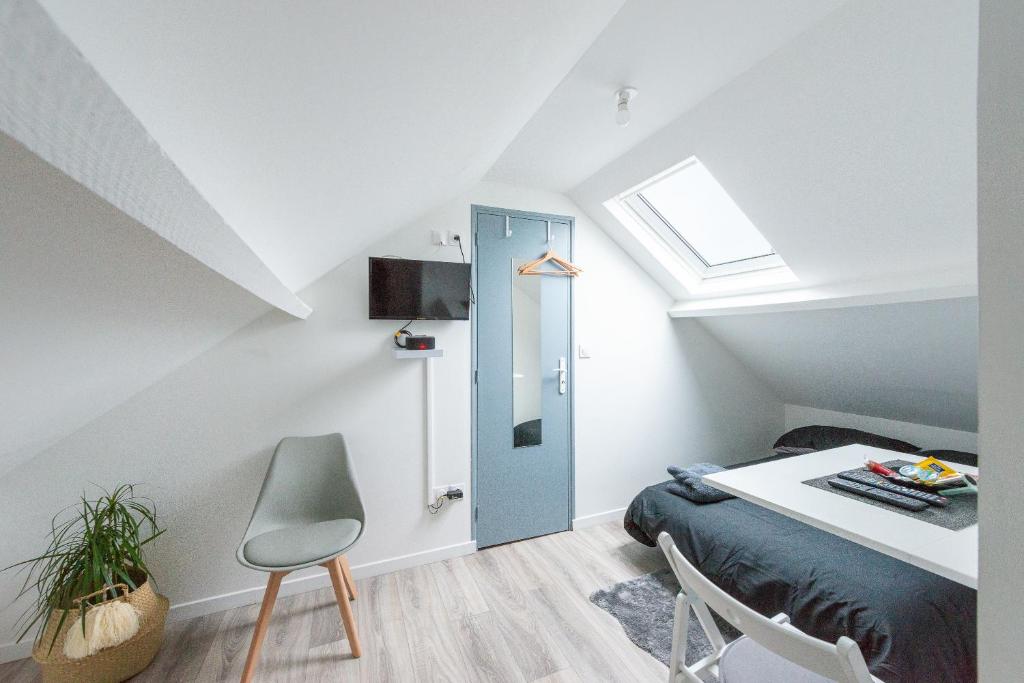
<point>657,391</point>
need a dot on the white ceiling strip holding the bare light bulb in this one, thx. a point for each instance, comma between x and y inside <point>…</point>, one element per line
<point>676,53</point>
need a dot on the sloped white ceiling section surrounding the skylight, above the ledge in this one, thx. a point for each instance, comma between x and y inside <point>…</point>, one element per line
<point>852,149</point>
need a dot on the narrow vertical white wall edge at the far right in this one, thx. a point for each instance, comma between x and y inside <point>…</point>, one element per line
<point>1001,178</point>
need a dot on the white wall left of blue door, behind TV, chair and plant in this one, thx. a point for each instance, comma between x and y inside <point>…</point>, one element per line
<point>201,438</point>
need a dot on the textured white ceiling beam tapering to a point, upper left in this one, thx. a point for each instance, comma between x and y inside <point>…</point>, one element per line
<point>56,104</point>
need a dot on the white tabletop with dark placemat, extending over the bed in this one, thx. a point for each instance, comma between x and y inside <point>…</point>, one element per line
<point>778,487</point>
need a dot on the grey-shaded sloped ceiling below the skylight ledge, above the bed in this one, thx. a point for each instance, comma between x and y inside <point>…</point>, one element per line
<point>911,362</point>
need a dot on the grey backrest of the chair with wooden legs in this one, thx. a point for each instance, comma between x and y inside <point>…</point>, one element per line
<point>311,480</point>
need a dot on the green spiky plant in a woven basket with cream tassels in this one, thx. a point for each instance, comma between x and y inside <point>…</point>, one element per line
<point>96,557</point>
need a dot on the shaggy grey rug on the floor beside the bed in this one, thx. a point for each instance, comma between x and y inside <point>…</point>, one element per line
<point>646,606</point>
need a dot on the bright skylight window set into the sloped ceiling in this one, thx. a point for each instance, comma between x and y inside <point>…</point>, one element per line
<point>692,215</point>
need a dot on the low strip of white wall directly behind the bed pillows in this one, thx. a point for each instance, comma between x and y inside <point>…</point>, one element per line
<point>924,437</point>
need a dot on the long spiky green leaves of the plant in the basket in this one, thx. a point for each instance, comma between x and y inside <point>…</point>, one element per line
<point>94,545</point>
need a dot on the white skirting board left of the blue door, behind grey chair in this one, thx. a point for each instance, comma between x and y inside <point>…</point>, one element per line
<point>248,596</point>
